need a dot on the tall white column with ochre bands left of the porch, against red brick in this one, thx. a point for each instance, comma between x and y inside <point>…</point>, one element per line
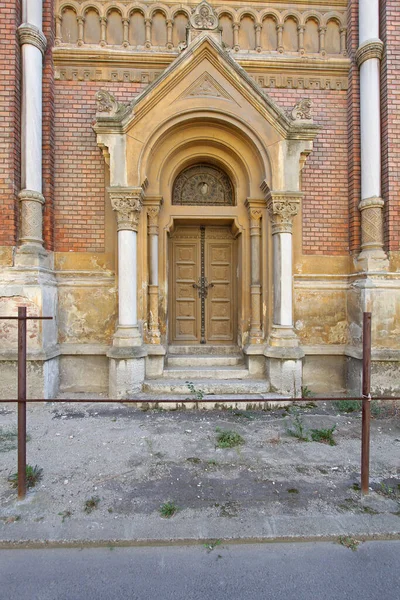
<point>33,45</point>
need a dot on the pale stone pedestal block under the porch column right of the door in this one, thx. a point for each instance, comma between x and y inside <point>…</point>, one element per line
<point>285,370</point>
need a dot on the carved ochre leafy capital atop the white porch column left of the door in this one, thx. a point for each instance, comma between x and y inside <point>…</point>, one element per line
<point>127,203</point>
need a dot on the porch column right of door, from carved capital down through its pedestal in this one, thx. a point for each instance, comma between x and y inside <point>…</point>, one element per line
<point>283,352</point>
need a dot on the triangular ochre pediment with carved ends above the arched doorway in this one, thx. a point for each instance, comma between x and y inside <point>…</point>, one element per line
<point>203,72</point>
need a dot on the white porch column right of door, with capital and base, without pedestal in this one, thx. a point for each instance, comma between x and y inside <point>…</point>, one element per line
<point>282,208</point>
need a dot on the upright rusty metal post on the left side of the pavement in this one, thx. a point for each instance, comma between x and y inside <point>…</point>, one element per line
<point>21,402</point>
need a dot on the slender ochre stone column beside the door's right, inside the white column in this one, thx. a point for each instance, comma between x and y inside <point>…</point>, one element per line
<point>255,208</point>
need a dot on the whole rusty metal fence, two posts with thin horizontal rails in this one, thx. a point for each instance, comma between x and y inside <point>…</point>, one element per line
<point>22,400</point>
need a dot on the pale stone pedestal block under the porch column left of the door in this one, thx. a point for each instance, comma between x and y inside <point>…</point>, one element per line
<point>126,372</point>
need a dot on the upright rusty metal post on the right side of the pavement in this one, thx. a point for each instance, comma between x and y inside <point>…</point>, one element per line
<point>366,404</point>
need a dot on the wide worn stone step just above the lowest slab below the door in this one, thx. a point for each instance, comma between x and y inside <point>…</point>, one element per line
<point>206,386</point>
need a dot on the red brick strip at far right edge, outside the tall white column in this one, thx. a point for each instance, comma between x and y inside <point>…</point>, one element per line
<point>390,105</point>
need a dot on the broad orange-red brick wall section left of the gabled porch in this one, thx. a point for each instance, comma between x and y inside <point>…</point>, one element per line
<point>79,165</point>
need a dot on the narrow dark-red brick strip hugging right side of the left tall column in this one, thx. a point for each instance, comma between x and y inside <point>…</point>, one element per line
<point>48,125</point>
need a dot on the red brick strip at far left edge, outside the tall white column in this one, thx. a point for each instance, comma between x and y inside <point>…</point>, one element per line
<point>10,102</point>
